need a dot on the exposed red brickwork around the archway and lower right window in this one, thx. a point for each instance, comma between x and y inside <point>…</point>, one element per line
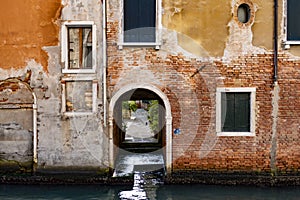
<point>192,97</point>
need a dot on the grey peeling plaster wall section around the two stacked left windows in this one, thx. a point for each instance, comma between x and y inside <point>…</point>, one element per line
<point>72,142</point>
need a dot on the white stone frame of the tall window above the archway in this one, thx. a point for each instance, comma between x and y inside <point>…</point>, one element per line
<point>158,27</point>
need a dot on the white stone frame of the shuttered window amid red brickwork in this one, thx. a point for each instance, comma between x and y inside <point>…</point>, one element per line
<point>252,92</point>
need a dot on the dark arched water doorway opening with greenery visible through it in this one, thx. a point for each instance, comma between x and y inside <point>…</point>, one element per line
<point>140,121</point>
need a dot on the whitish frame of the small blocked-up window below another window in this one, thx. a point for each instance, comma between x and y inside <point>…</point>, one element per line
<point>64,96</point>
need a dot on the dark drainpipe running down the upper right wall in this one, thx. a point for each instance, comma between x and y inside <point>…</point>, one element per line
<point>275,42</point>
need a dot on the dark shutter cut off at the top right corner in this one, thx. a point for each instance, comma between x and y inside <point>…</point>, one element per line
<point>293,25</point>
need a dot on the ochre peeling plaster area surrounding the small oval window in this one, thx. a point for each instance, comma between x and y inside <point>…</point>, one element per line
<point>214,28</point>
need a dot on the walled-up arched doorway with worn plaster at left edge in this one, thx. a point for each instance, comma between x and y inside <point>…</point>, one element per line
<point>16,131</point>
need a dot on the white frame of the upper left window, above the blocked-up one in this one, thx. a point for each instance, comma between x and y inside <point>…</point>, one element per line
<point>64,46</point>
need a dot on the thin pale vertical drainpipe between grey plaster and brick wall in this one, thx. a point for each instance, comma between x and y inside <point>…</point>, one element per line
<point>104,61</point>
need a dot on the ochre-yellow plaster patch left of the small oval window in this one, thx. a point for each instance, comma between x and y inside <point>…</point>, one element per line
<point>204,22</point>
